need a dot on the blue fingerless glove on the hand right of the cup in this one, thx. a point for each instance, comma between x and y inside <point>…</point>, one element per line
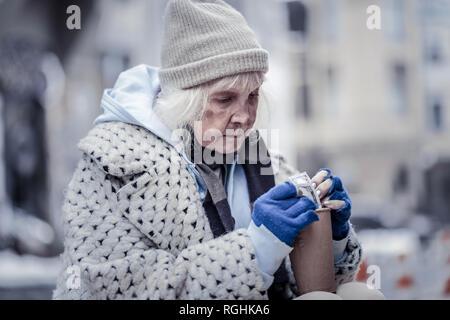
<point>339,218</point>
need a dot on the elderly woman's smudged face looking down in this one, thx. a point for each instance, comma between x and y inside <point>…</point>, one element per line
<point>227,120</point>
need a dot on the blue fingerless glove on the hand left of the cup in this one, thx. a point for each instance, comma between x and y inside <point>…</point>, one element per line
<point>285,215</point>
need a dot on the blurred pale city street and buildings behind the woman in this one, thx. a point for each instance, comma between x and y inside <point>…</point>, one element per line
<point>372,105</point>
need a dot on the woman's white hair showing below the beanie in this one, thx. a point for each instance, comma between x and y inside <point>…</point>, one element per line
<point>180,108</point>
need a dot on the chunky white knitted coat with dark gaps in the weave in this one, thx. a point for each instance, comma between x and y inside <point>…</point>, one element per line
<point>135,227</point>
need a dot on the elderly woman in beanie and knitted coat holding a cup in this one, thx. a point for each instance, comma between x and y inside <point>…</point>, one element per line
<point>149,216</point>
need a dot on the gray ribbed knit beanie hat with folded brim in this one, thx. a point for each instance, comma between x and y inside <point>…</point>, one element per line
<point>206,40</point>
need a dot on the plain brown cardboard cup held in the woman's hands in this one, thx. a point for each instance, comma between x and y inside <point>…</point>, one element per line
<point>312,257</point>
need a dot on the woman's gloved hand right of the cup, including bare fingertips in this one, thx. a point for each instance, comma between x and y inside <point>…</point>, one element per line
<point>332,194</point>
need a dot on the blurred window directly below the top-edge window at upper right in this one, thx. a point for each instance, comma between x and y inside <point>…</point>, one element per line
<point>398,89</point>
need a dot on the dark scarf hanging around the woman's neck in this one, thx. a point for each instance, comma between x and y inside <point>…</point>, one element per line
<point>254,157</point>
